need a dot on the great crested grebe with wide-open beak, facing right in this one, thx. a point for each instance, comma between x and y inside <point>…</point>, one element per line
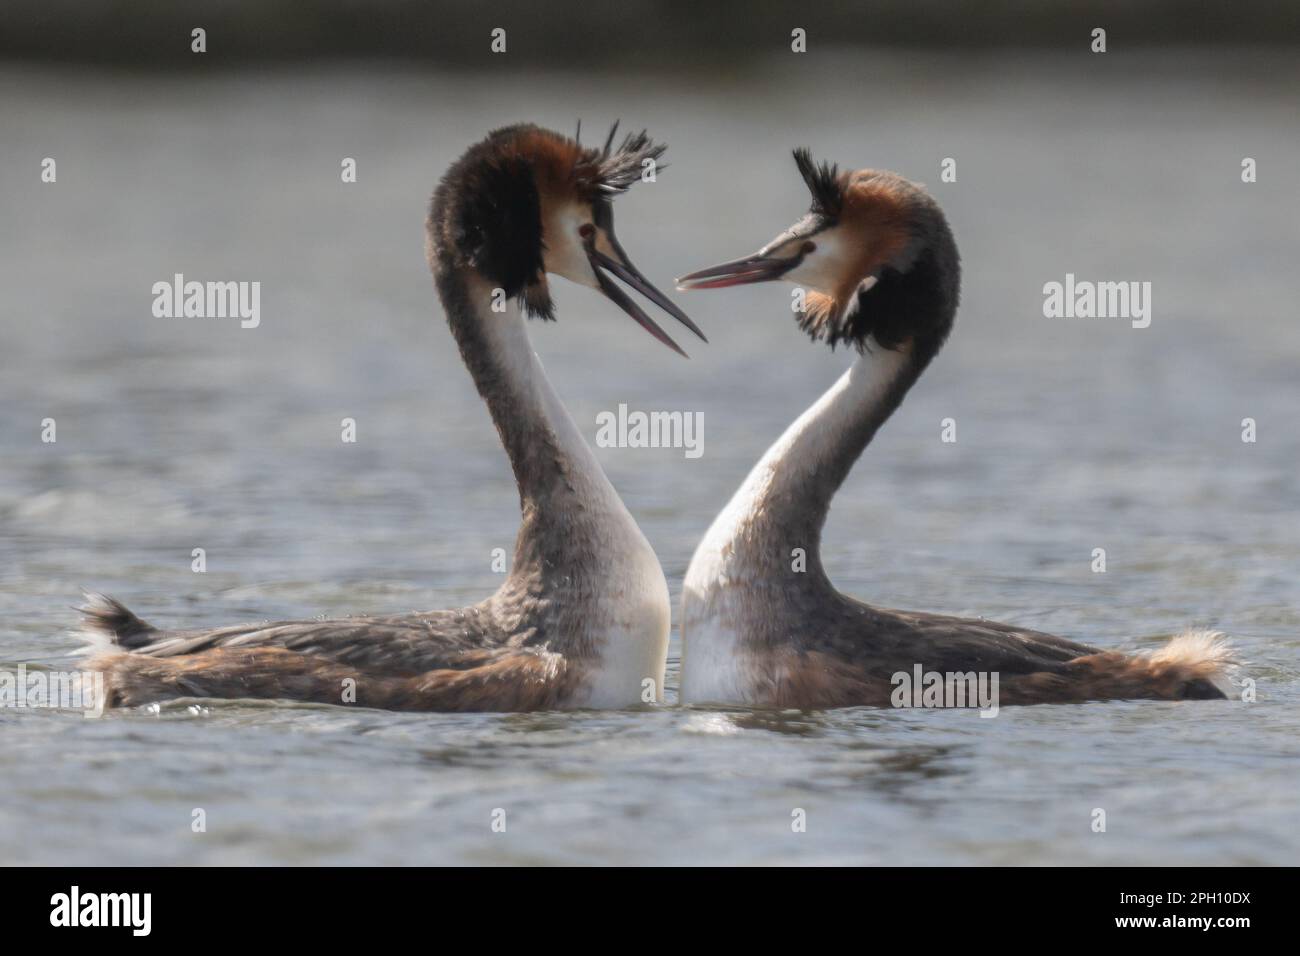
<point>583,617</point>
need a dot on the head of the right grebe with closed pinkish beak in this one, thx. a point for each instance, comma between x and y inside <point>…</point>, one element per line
<point>874,252</point>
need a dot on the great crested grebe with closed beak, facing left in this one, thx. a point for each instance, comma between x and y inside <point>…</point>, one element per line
<point>879,261</point>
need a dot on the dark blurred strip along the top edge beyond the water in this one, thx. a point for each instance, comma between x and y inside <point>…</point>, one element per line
<point>570,34</point>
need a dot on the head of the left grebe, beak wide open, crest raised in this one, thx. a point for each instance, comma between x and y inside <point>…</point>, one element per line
<point>527,204</point>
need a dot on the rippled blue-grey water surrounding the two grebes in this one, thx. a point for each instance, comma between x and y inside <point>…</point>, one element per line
<point>1072,435</point>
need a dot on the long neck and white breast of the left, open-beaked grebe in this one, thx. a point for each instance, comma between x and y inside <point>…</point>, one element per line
<point>584,578</point>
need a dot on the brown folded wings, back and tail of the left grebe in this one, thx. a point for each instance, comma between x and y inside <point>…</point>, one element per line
<point>430,661</point>
